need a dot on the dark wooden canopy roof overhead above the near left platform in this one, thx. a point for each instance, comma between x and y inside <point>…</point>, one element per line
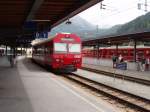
<point>19,19</point>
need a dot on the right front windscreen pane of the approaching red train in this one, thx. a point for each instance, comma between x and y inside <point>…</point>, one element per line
<point>74,48</point>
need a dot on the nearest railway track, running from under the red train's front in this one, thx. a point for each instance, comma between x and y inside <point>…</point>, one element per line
<point>128,100</point>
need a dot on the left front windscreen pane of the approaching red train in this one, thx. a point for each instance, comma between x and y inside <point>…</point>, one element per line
<point>60,47</point>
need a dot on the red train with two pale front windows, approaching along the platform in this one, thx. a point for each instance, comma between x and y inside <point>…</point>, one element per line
<point>61,52</point>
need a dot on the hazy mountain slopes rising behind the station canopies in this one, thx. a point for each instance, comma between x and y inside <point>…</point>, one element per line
<point>86,30</point>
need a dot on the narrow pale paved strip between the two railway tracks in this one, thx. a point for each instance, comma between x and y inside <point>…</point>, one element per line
<point>130,87</point>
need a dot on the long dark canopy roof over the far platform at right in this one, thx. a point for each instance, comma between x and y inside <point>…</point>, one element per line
<point>118,39</point>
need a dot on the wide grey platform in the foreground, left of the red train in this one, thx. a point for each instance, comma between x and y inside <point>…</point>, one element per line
<point>30,88</point>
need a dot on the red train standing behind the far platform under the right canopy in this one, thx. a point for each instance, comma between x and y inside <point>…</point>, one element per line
<point>126,51</point>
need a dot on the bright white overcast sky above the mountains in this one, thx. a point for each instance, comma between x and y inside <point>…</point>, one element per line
<point>116,12</point>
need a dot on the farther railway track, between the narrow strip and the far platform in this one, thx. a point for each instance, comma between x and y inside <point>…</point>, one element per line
<point>119,76</point>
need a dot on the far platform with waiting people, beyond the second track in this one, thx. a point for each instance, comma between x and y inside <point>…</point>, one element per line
<point>106,65</point>
